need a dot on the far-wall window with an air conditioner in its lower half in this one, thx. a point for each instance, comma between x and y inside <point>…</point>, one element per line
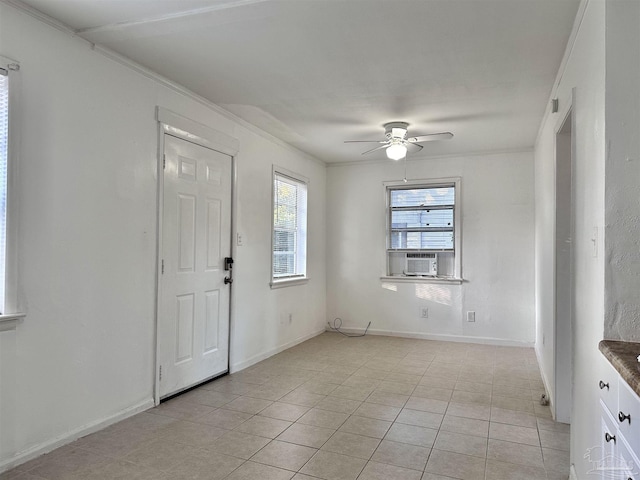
<point>423,229</point>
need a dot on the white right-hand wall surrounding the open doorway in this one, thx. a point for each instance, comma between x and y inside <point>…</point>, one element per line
<point>585,71</point>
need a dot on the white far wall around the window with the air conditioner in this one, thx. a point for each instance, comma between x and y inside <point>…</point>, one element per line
<point>497,251</point>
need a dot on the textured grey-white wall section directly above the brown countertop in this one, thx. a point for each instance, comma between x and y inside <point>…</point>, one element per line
<point>622,215</point>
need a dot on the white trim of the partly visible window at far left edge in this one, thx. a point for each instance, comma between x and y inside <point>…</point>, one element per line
<point>11,315</point>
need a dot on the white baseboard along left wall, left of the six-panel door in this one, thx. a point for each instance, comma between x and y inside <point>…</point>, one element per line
<point>68,437</point>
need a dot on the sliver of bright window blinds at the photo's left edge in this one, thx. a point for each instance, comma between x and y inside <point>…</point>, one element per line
<point>4,150</point>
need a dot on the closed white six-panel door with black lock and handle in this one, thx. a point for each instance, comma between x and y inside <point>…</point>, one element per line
<point>193,298</point>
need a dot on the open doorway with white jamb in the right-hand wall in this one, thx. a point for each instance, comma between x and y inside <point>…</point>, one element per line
<point>563,332</point>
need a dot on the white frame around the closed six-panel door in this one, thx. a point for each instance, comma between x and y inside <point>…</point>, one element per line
<point>170,123</point>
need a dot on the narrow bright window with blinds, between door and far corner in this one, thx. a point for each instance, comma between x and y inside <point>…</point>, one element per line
<point>289,253</point>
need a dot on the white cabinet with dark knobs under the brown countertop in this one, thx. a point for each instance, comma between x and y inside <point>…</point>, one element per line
<point>620,427</point>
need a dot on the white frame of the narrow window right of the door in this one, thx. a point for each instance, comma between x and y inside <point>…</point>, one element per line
<point>301,275</point>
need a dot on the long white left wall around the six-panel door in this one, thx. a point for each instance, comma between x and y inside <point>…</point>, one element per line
<point>87,233</point>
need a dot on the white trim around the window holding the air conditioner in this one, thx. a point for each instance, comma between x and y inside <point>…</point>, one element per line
<point>457,229</point>
